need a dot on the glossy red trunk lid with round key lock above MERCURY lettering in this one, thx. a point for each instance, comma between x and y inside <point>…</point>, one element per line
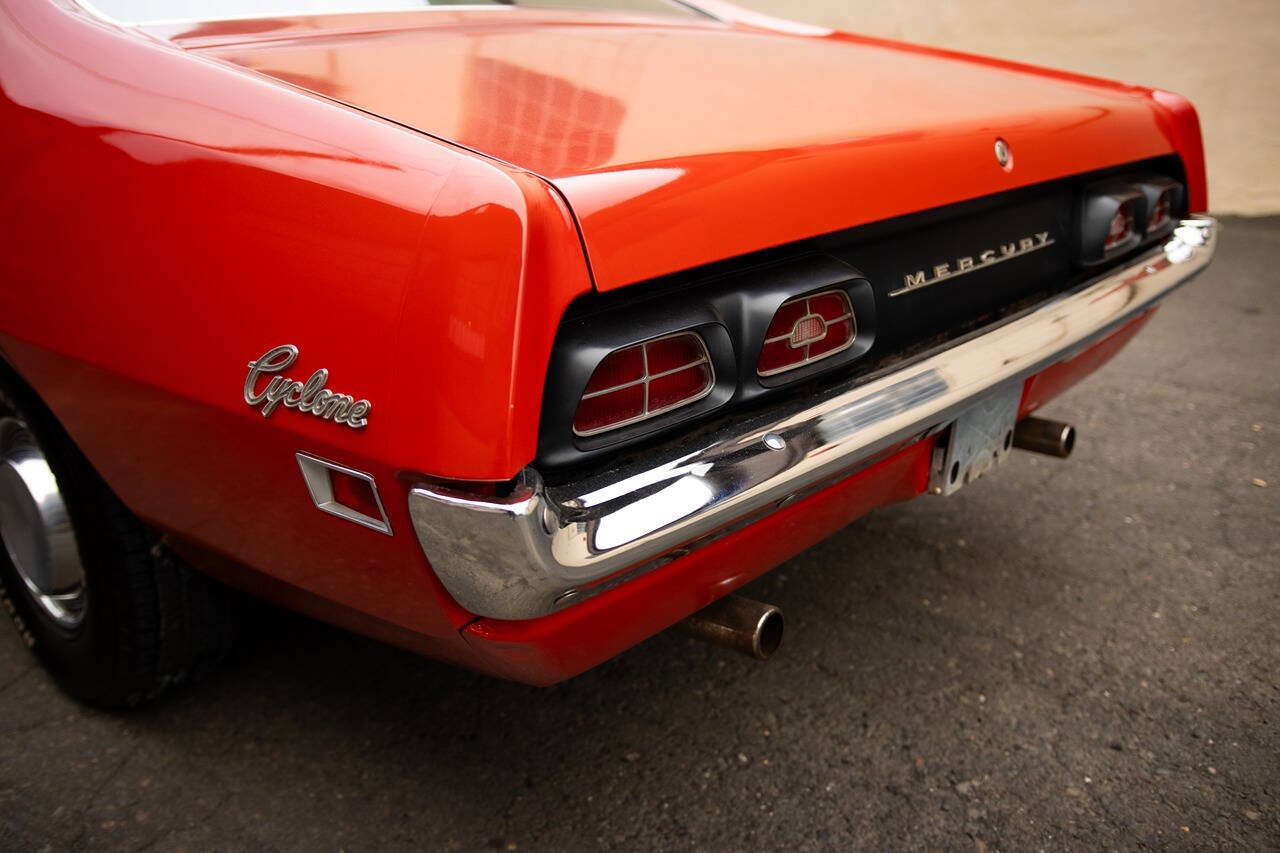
<point>669,167</point>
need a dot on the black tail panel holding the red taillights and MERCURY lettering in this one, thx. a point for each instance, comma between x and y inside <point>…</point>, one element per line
<point>796,320</point>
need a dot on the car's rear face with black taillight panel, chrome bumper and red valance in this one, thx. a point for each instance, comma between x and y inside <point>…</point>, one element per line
<point>703,427</point>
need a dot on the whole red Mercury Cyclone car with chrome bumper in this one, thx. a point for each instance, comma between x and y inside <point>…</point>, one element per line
<point>516,336</point>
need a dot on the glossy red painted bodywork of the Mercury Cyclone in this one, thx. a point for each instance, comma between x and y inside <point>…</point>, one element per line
<point>179,200</point>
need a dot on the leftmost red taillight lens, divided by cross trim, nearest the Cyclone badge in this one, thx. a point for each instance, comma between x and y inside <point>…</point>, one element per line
<point>643,381</point>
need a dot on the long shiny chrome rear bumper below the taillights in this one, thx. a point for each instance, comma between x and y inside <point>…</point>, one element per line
<point>543,549</point>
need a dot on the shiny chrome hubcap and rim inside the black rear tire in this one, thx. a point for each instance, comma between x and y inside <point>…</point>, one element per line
<point>36,528</point>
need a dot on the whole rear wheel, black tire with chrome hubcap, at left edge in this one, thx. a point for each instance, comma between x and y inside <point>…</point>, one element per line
<point>109,610</point>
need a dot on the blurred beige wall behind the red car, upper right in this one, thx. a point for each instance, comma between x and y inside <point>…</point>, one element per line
<point>1222,54</point>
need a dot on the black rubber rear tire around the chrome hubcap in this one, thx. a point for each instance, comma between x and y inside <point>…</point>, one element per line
<point>149,619</point>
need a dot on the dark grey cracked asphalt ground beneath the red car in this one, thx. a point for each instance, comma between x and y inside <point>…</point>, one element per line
<point>1066,655</point>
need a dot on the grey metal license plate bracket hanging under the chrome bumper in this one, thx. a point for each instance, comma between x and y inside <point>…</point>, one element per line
<point>977,443</point>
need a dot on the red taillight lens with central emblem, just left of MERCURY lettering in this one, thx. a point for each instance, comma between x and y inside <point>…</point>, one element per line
<point>806,330</point>
